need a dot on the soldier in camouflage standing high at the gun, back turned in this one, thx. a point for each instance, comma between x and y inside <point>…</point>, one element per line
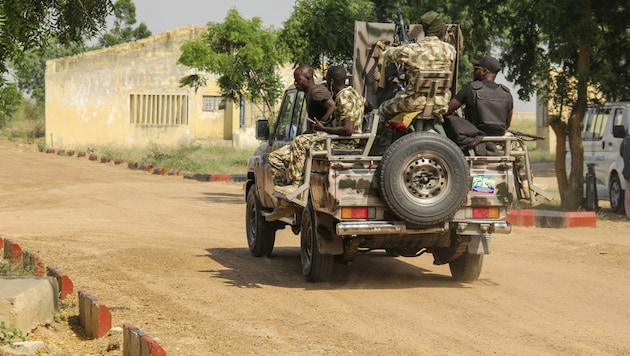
<point>430,53</point>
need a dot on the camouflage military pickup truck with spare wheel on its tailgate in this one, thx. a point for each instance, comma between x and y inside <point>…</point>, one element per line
<point>409,195</point>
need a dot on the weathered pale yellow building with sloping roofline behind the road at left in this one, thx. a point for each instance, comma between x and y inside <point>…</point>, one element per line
<point>129,95</point>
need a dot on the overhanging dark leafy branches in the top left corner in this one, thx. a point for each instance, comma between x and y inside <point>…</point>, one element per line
<point>30,23</point>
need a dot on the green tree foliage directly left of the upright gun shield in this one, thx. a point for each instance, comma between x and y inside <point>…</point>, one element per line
<point>321,32</point>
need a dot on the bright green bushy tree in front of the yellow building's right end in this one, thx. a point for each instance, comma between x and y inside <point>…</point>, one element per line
<point>243,54</point>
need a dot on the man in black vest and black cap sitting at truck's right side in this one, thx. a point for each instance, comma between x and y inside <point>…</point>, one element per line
<point>488,105</point>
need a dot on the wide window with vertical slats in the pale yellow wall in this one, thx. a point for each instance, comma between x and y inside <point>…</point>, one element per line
<point>158,109</point>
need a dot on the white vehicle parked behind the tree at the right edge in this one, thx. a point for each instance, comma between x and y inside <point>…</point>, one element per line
<point>603,128</point>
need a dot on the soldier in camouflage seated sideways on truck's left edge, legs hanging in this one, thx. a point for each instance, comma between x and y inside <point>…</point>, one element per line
<point>348,114</point>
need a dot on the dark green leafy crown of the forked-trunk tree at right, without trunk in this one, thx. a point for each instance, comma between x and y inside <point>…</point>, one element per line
<point>545,42</point>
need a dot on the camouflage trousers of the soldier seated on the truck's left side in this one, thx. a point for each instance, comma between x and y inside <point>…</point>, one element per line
<point>292,157</point>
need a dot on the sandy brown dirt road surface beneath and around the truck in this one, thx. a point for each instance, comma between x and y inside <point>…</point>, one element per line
<point>170,256</point>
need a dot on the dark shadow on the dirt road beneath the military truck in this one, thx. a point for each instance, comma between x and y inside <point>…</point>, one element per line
<point>373,270</point>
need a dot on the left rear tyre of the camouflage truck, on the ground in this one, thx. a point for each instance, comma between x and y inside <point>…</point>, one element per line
<point>315,266</point>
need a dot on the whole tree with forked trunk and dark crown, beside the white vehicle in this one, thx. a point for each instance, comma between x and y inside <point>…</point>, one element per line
<point>565,50</point>
